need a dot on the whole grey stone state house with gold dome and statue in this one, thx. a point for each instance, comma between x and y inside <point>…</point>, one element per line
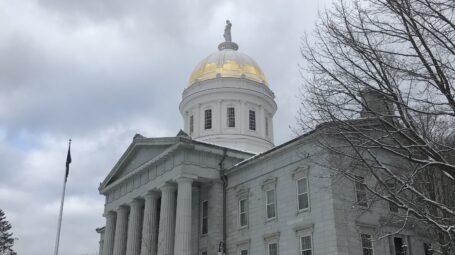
<point>221,186</point>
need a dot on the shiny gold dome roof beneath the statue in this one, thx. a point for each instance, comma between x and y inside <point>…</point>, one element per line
<point>227,63</point>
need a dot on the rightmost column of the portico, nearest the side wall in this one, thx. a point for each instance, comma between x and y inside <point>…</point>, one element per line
<point>183,219</point>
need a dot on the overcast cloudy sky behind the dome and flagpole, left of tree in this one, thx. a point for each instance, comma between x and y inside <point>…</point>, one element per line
<point>99,71</point>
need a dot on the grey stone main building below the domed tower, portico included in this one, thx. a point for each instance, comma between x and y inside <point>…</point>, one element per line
<point>158,209</point>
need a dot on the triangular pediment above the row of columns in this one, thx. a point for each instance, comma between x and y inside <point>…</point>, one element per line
<point>138,153</point>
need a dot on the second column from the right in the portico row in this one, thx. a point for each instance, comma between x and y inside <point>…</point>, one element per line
<point>167,220</point>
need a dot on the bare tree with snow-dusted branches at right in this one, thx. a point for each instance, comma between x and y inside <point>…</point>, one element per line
<point>379,75</point>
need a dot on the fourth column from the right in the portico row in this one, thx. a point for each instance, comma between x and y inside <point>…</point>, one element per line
<point>133,244</point>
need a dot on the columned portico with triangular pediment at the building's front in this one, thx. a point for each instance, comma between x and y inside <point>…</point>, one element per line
<point>153,192</point>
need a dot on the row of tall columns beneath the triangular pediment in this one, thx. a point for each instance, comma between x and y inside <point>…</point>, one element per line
<point>134,226</point>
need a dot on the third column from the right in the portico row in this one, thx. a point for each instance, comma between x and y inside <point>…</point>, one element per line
<point>150,225</point>
